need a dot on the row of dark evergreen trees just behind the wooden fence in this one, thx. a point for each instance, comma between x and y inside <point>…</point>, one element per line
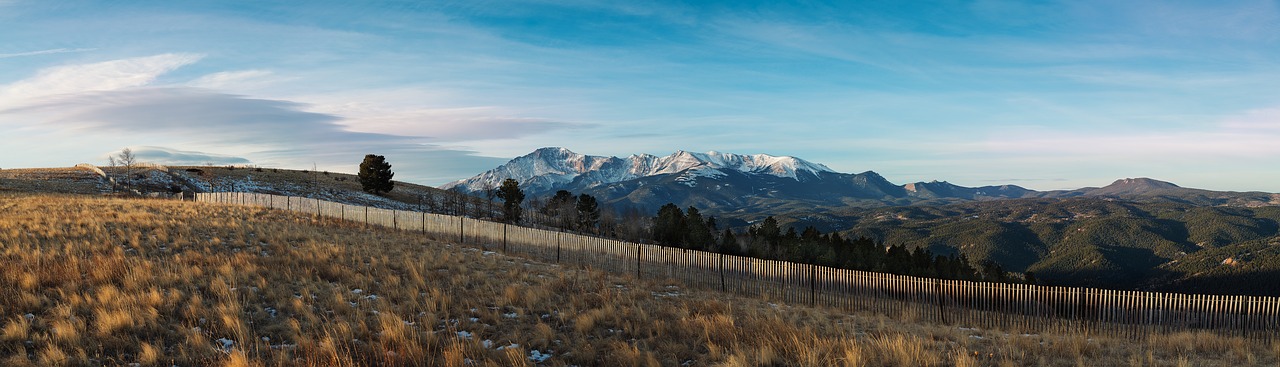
<point>691,230</point>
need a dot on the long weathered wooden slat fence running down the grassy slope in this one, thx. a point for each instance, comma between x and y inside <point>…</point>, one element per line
<point>1012,308</point>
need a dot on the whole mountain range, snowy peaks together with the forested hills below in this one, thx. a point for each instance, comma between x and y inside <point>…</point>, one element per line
<point>1136,233</point>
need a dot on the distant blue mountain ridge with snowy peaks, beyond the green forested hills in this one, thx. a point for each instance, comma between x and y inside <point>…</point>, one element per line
<point>766,185</point>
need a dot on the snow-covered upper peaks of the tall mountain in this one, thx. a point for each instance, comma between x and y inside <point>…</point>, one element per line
<point>547,168</point>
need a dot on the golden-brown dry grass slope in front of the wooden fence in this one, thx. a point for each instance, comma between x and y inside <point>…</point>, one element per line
<point>159,283</point>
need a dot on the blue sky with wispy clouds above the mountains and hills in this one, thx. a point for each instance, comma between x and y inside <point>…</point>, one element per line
<point>1048,95</point>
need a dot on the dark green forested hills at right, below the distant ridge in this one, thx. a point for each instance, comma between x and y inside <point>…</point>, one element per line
<point>1092,241</point>
